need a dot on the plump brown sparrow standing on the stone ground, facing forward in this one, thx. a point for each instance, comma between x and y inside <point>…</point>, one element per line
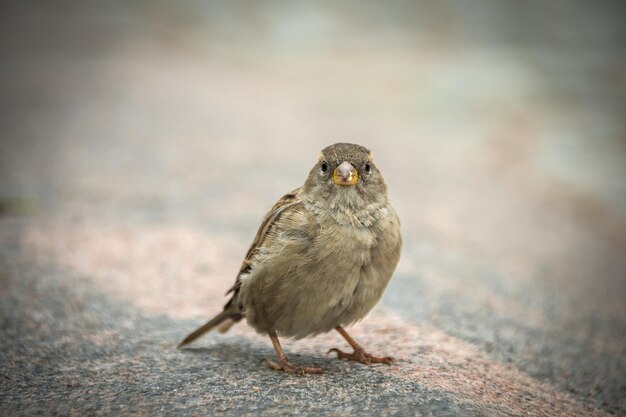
<point>320,260</point>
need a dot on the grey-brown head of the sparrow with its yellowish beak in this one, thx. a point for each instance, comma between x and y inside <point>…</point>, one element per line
<point>345,175</point>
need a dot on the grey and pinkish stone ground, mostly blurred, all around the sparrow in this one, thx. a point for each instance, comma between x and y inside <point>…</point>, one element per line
<point>141,145</point>
